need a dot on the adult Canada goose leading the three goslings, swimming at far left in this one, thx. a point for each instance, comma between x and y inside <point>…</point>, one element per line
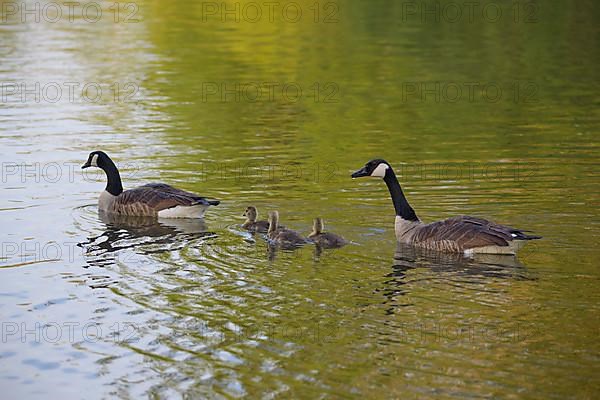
<point>151,200</point>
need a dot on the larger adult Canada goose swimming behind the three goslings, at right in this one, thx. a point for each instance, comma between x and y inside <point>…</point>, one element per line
<point>462,234</point>
